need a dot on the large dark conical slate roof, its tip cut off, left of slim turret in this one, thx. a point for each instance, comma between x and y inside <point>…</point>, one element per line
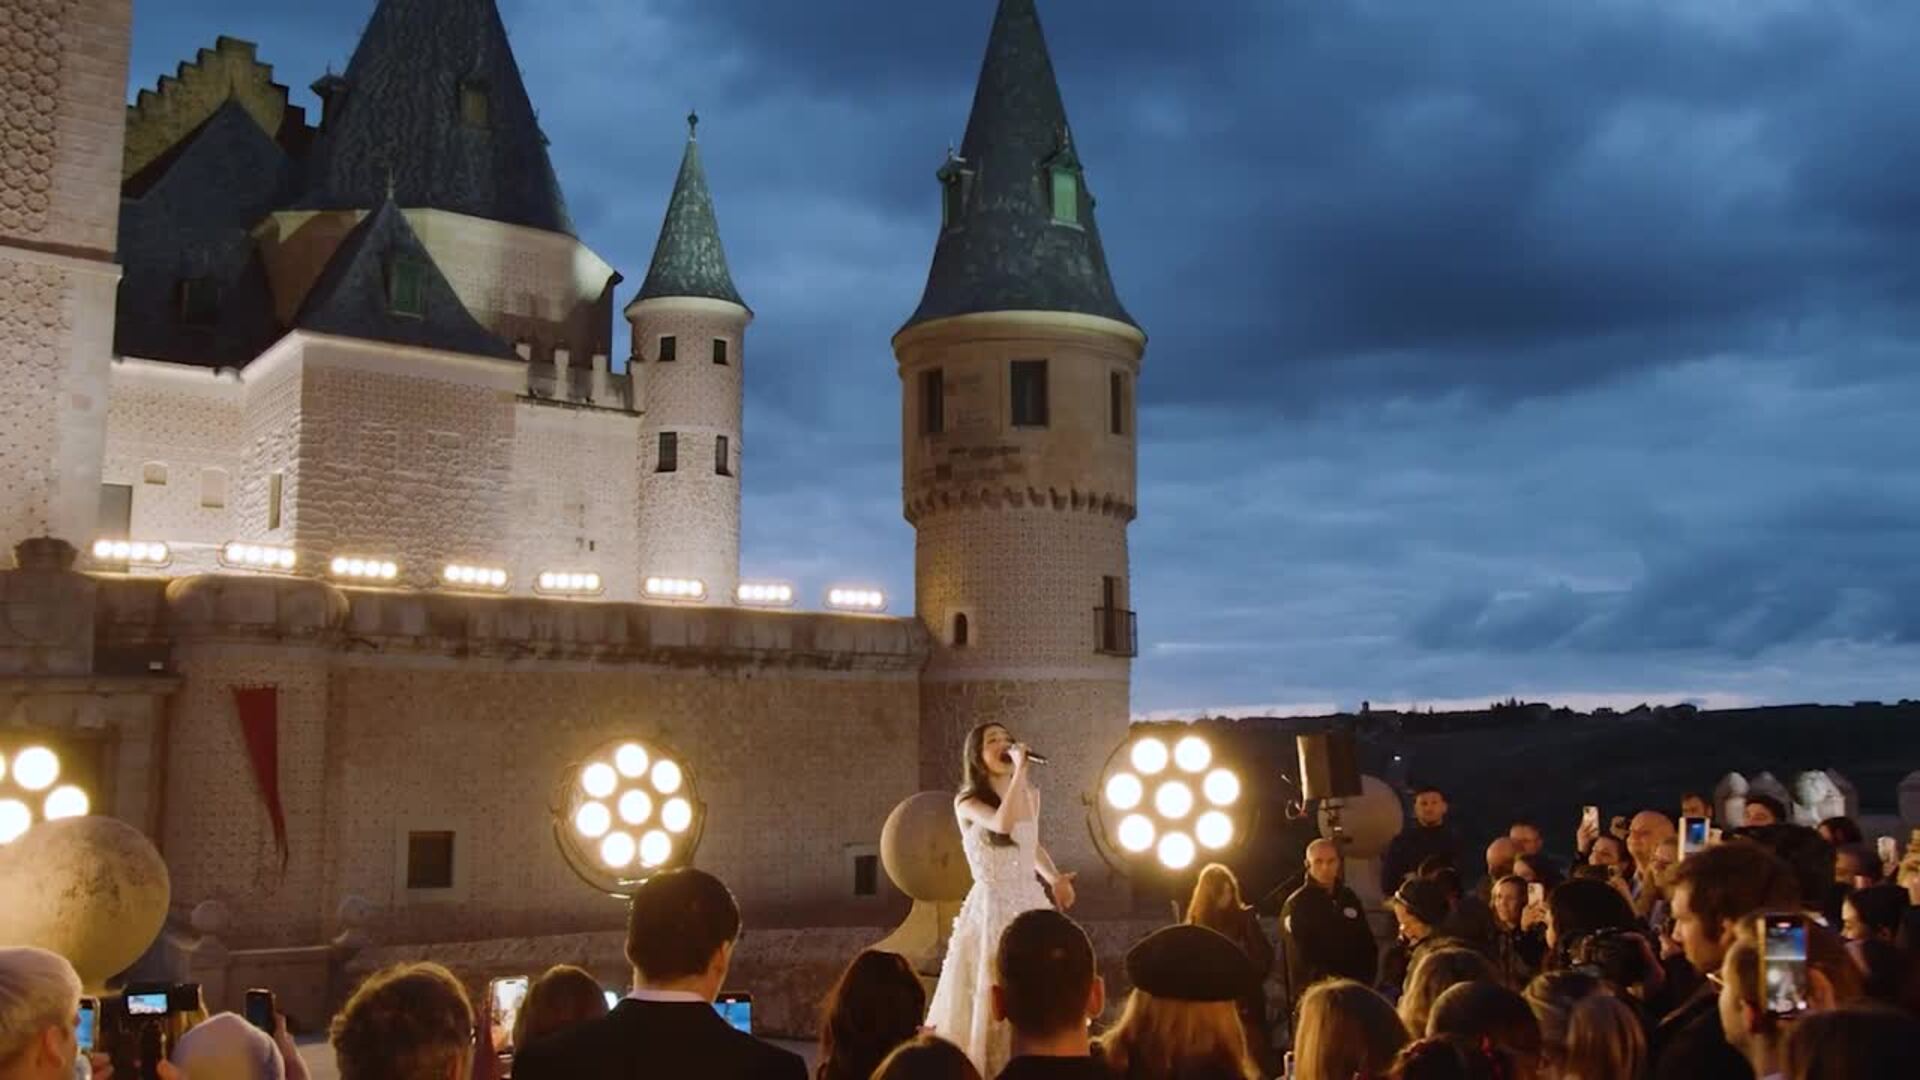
<point>433,107</point>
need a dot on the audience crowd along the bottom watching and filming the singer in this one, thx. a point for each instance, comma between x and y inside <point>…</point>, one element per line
<point>1631,964</point>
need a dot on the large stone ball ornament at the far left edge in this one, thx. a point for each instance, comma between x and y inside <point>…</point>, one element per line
<point>89,889</point>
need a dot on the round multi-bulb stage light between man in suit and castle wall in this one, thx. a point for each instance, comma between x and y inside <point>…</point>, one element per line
<point>627,812</point>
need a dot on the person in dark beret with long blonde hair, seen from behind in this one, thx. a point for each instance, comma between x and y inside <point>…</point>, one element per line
<point>1182,1019</point>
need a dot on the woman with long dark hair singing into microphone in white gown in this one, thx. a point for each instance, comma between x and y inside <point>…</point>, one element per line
<point>999,816</point>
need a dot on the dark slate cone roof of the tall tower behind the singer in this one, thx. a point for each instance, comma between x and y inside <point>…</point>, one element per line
<point>1005,253</point>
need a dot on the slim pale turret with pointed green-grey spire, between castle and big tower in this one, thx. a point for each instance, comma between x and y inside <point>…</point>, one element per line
<point>688,364</point>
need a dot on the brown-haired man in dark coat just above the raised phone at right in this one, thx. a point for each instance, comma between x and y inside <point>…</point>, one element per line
<point>1714,893</point>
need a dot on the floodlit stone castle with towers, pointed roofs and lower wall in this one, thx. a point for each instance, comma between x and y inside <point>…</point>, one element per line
<point>327,414</point>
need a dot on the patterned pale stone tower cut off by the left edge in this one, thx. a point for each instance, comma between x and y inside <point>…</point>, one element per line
<point>62,135</point>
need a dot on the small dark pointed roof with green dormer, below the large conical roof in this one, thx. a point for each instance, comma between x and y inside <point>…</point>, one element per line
<point>354,297</point>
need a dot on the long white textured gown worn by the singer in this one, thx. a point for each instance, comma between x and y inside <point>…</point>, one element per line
<point>1005,885</point>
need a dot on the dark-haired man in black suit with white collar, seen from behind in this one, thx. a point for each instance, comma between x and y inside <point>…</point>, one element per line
<point>681,937</point>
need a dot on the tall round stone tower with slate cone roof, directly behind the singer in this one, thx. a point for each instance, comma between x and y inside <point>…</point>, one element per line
<point>1017,387</point>
